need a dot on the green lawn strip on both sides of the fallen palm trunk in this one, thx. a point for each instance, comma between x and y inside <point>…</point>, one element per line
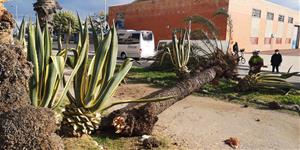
<point>225,89</point>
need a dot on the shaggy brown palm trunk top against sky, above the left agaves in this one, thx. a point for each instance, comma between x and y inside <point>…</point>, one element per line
<point>45,9</point>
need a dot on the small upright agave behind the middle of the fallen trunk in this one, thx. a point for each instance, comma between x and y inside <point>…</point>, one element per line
<point>180,52</point>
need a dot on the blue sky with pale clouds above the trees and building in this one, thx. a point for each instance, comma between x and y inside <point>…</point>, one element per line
<point>87,7</point>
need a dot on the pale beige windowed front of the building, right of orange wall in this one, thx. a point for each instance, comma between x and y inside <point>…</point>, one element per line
<point>263,25</point>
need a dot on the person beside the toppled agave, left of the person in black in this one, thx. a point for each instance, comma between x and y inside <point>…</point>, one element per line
<point>255,63</point>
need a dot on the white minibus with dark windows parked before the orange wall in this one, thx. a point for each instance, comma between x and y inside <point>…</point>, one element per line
<point>136,44</point>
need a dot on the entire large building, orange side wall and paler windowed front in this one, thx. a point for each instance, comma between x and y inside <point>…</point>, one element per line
<point>257,24</point>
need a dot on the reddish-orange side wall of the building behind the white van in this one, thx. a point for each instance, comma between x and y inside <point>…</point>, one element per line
<point>162,16</point>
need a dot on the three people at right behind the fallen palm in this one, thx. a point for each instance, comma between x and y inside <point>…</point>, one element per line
<point>256,62</point>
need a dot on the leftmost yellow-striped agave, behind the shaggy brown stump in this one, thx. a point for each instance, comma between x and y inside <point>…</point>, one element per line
<point>48,69</point>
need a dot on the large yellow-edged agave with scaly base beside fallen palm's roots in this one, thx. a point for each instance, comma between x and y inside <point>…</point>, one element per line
<point>94,83</point>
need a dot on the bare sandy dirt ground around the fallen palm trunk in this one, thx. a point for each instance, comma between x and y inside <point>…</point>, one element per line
<point>204,123</point>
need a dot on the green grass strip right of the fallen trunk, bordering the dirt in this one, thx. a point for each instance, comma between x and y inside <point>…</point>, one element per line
<point>226,89</point>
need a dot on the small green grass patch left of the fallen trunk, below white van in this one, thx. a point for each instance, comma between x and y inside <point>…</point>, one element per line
<point>159,78</point>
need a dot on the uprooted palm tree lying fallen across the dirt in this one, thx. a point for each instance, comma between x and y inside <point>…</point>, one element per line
<point>140,119</point>
